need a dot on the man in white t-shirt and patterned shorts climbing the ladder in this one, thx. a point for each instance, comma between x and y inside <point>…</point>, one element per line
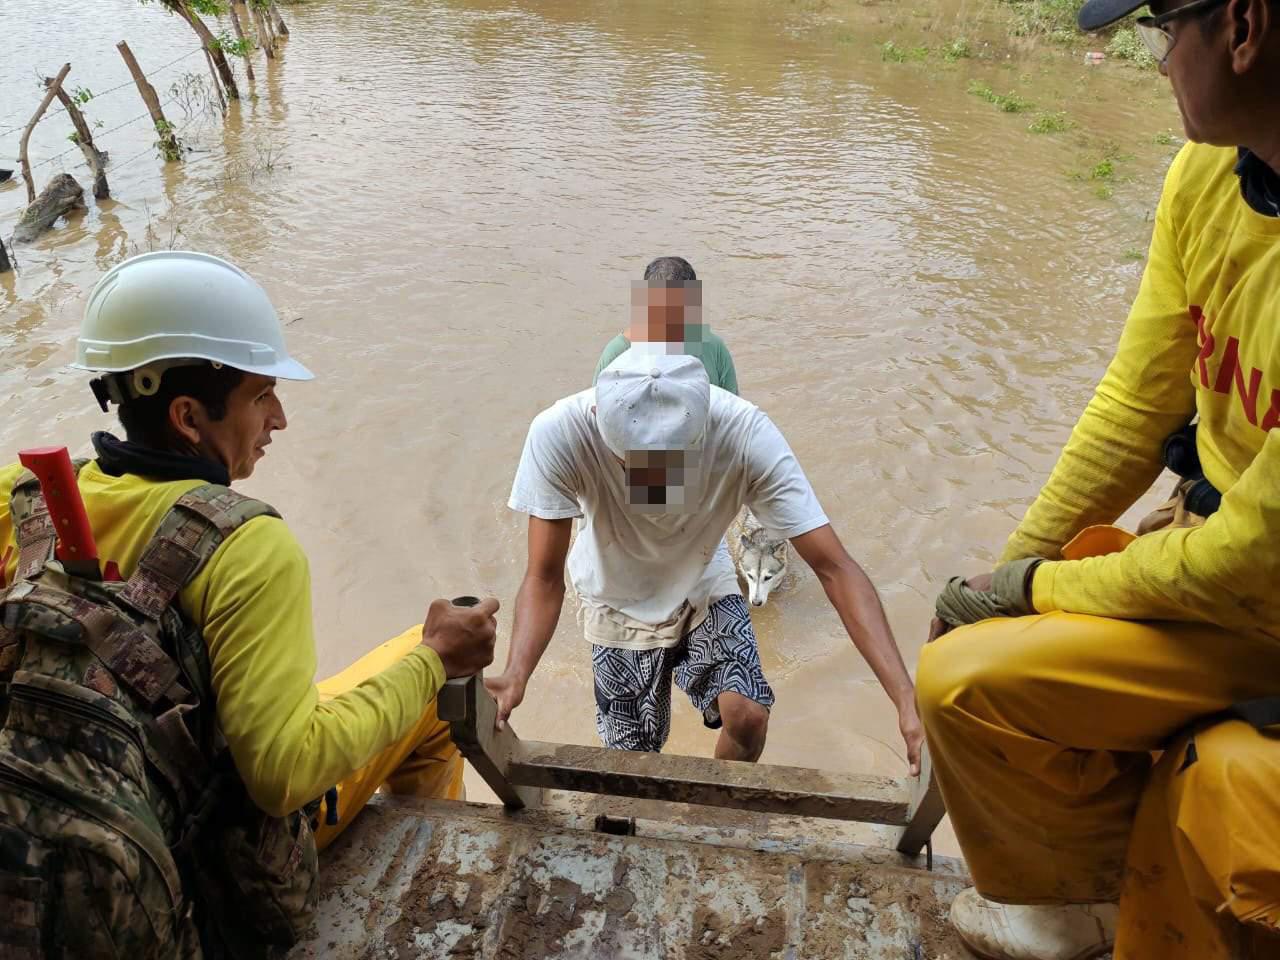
<point>657,464</point>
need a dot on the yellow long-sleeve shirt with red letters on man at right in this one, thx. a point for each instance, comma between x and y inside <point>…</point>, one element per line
<point>1204,337</point>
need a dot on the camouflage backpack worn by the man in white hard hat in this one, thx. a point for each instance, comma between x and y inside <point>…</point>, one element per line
<point>125,830</point>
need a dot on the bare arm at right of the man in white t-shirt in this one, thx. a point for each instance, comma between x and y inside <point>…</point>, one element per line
<point>858,605</point>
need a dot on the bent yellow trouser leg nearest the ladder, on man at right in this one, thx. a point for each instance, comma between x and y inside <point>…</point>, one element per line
<point>1041,732</point>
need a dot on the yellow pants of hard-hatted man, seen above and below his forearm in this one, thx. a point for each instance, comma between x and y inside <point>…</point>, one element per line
<point>423,764</point>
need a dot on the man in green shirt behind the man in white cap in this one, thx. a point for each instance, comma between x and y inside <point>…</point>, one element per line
<point>668,308</point>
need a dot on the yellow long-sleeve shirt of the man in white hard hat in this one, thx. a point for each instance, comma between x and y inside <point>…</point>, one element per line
<point>253,602</point>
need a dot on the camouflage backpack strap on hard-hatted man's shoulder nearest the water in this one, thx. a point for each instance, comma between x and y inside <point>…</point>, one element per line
<point>189,536</point>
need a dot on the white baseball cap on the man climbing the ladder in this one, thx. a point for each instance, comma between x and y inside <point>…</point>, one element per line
<point>652,401</point>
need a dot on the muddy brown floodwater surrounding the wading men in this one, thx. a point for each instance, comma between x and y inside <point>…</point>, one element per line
<point>447,203</point>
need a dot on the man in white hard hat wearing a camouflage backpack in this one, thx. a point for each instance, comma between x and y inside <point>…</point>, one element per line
<point>190,644</point>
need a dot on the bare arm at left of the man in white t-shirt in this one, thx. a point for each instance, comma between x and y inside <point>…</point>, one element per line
<point>538,606</point>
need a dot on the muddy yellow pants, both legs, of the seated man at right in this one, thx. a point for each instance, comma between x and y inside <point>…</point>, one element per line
<point>1043,732</point>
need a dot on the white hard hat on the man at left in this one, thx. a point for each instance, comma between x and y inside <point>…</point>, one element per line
<point>179,305</point>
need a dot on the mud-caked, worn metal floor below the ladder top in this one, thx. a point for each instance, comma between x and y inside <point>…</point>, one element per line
<point>420,879</point>
